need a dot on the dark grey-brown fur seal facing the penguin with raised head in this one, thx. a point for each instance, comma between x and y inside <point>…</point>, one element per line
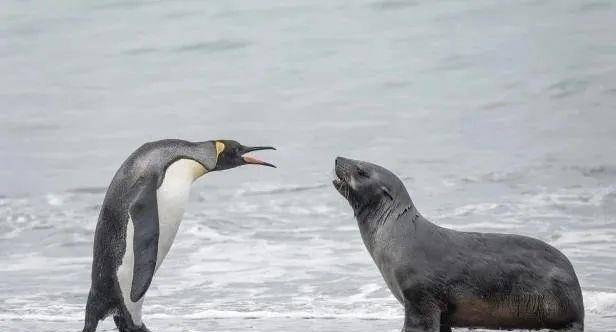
<point>445,278</point>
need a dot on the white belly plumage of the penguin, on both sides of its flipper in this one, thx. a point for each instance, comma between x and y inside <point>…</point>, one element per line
<point>172,197</point>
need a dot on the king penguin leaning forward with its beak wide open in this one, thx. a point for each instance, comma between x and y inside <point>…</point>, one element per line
<point>139,218</point>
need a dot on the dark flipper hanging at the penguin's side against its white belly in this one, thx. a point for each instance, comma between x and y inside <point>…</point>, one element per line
<point>144,214</point>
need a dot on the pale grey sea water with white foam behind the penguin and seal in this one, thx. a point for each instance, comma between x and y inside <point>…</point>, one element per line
<point>499,116</point>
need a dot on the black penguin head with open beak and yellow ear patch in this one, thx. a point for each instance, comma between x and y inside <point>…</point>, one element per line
<point>233,154</point>
